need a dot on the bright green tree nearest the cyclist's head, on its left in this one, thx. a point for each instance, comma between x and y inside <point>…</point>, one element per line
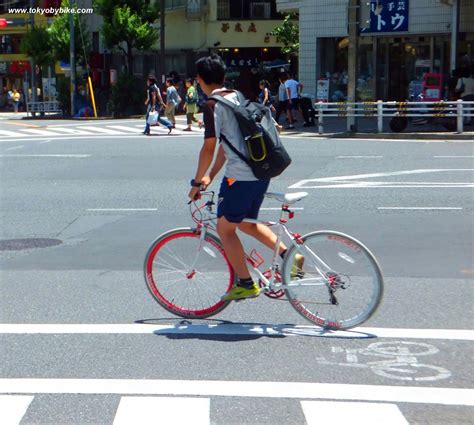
<point>128,22</point>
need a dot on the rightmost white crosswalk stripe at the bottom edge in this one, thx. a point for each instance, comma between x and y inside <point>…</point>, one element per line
<point>343,413</point>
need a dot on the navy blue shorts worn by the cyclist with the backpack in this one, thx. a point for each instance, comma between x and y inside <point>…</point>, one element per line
<point>240,199</point>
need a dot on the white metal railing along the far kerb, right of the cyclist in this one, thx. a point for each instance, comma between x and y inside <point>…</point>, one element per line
<point>451,114</point>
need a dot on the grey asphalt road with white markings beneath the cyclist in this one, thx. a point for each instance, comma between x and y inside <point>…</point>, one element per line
<point>104,193</point>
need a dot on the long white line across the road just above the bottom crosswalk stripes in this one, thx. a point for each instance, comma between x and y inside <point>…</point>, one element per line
<point>299,390</point>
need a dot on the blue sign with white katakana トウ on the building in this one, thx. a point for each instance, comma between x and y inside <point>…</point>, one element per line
<point>388,16</point>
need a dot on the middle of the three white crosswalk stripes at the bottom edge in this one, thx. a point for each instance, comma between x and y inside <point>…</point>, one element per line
<point>164,410</point>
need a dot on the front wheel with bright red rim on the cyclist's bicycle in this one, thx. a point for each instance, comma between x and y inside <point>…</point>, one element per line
<point>185,277</point>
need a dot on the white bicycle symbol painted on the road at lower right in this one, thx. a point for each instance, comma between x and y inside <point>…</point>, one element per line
<point>399,360</point>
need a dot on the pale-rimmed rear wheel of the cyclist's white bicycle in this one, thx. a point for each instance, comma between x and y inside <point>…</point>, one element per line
<point>340,285</point>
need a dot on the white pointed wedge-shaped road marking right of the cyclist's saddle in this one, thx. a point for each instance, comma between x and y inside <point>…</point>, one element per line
<point>358,181</point>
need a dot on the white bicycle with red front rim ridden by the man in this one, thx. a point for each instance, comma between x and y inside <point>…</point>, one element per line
<point>339,286</point>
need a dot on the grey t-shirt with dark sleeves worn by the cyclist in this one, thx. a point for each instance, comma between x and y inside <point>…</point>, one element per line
<point>224,122</point>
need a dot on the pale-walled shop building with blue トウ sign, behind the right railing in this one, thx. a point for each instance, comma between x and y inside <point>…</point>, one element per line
<point>399,41</point>
